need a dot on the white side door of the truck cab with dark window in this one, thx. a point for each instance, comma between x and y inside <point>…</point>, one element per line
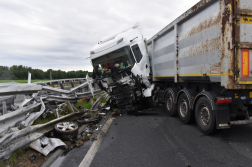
<point>142,66</point>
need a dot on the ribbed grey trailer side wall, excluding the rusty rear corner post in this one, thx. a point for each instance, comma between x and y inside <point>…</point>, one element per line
<point>190,47</point>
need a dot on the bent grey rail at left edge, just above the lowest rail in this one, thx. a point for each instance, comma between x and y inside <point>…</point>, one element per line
<point>12,119</point>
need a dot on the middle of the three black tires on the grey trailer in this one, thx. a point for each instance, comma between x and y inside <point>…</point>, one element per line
<point>184,111</point>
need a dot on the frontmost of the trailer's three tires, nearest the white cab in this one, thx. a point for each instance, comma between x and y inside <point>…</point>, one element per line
<point>170,106</point>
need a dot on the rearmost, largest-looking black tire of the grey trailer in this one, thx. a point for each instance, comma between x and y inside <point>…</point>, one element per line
<point>205,117</point>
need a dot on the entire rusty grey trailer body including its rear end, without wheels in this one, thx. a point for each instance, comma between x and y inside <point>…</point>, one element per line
<point>211,42</point>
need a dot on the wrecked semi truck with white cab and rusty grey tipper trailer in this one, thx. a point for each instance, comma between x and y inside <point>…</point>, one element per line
<point>198,66</point>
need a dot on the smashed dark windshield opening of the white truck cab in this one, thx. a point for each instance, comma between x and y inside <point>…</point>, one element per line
<point>113,62</point>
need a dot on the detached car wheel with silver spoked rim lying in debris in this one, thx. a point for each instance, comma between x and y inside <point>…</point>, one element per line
<point>66,130</point>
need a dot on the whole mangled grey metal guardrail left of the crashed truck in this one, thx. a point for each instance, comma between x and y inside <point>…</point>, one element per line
<point>12,138</point>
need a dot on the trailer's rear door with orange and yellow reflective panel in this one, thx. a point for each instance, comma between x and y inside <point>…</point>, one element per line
<point>244,40</point>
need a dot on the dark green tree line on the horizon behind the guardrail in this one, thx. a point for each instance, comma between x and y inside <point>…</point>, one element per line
<point>17,72</point>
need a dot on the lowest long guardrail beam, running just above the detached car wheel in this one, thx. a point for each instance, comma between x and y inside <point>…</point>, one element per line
<point>15,141</point>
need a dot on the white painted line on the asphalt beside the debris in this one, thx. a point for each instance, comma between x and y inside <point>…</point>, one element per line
<point>86,162</point>
